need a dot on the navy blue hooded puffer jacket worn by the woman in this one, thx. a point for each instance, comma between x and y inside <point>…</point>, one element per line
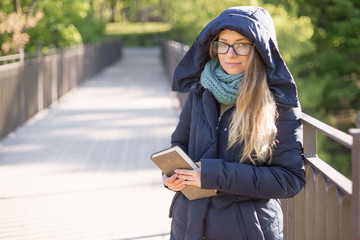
<point>247,205</point>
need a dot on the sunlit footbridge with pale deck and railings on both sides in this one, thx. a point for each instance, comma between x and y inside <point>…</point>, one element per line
<point>78,166</point>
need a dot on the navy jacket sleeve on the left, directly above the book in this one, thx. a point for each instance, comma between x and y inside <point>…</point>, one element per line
<point>181,134</point>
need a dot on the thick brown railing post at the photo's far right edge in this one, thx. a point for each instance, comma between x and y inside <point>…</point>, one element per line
<point>355,170</point>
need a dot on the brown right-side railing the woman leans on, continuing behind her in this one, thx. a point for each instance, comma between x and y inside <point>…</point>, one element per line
<point>328,207</point>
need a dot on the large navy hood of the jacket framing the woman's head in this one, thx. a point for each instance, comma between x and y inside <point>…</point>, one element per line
<point>256,24</point>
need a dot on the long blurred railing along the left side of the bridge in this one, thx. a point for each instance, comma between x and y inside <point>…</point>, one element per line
<point>31,82</point>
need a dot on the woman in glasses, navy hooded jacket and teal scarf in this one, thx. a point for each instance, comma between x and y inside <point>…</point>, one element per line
<point>241,123</point>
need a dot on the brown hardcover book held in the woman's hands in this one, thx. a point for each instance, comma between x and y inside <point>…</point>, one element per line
<point>175,158</point>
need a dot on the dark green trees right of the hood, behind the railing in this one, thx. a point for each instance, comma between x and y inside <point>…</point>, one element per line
<point>329,76</point>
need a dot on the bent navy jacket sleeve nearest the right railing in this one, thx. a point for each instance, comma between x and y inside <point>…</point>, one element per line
<point>285,176</point>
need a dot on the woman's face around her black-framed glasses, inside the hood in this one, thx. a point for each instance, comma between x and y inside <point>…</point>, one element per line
<point>230,61</point>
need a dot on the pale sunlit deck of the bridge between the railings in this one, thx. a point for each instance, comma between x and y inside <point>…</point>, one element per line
<point>81,169</point>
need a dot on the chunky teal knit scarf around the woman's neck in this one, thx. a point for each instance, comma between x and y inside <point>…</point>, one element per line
<point>223,86</point>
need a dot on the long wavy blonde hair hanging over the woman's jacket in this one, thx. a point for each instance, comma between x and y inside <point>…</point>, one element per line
<point>253,122</point>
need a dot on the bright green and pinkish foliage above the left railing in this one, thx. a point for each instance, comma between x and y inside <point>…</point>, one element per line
<point>46,23</point>
